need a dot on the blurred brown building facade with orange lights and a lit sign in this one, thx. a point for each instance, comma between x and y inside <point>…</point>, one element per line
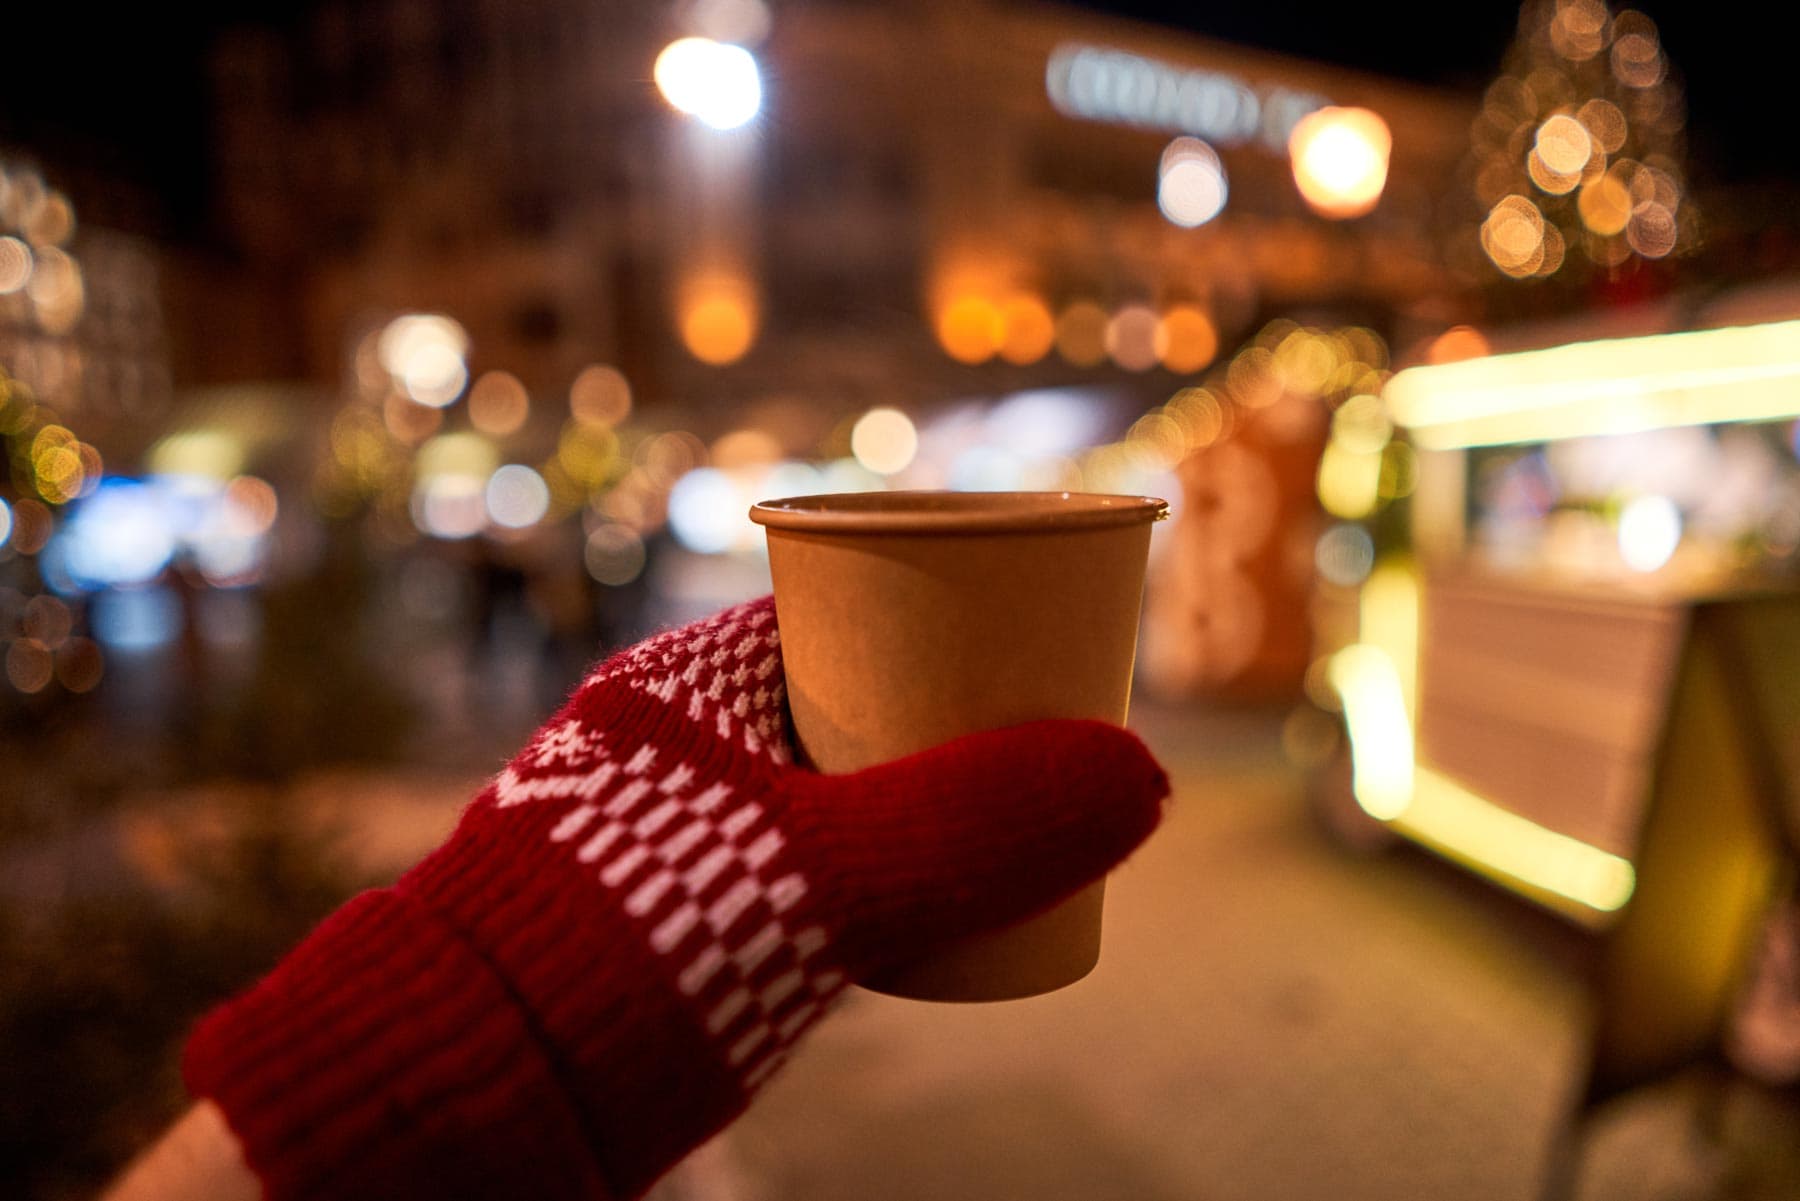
<point>917,208</point>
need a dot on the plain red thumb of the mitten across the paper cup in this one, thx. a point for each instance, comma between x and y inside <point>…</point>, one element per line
<point>975,835</point>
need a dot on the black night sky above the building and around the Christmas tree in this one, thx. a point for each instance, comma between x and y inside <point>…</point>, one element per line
<point>125,95</point>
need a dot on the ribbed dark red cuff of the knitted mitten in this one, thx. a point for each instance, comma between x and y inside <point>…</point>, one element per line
<point>382,1060</point>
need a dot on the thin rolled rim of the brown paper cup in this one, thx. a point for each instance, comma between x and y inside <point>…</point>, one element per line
<point>957,512</point>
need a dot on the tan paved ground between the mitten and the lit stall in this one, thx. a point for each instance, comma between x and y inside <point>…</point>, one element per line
<point>1273,1018</point>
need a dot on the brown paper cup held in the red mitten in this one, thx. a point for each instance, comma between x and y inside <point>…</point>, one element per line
<point>910,619</point>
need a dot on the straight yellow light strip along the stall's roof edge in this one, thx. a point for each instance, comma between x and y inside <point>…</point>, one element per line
<point>1743,374</point>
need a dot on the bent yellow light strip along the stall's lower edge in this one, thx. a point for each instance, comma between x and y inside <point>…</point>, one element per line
<point>1392,788</point>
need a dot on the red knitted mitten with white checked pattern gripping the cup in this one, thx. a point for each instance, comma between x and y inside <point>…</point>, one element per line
<point>633,926</point>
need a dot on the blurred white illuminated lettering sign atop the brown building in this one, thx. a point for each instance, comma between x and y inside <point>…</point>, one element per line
<point>1128,89</point>
